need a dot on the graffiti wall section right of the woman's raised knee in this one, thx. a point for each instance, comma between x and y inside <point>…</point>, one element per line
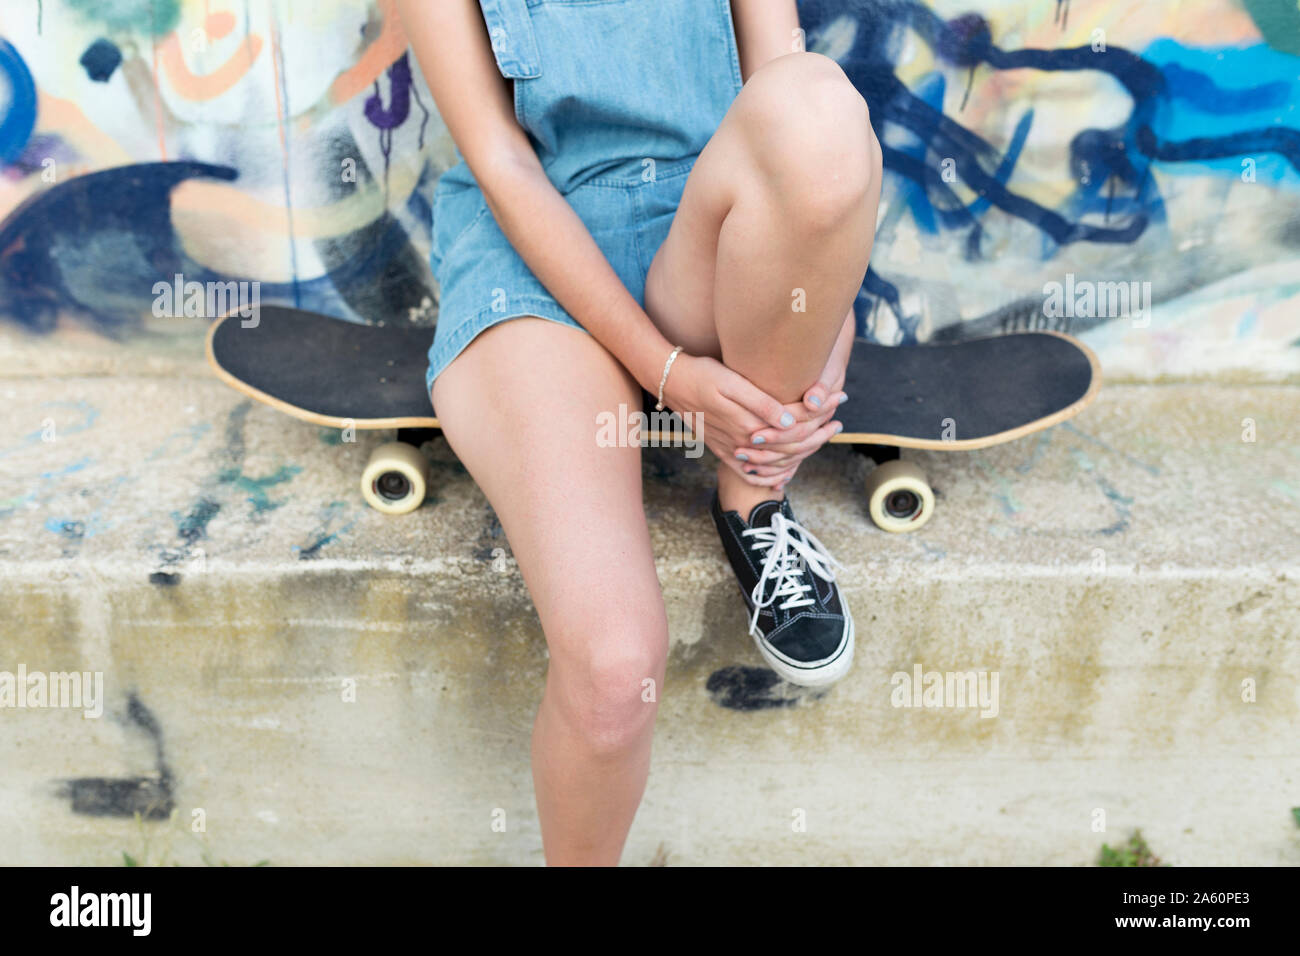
<point>1123,171</point>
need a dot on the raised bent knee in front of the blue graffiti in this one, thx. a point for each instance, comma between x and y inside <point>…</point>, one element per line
<point>811,132</point>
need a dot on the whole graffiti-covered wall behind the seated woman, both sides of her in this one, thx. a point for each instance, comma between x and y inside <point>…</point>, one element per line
<point>1123,170</point>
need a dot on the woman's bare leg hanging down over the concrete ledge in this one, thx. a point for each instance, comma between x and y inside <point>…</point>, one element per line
<point>519,408</point>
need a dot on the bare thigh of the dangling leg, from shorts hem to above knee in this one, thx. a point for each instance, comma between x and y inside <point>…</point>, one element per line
<point>519,408</point>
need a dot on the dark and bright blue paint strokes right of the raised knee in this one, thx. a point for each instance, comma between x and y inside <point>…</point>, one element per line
<point>1180,116</point>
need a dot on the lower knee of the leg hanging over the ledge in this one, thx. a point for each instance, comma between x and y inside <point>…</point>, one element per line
<point>608,684</point>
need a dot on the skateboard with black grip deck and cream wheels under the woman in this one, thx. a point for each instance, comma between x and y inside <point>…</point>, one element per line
<point>951,397</point>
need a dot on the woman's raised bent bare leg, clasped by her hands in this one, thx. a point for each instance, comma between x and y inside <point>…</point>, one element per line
<point>773,236</point>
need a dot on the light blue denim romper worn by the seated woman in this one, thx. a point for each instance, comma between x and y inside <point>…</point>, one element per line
<point>618,98</point>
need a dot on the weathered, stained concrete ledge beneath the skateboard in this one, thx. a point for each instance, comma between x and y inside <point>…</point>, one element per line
<point>1124,576</point>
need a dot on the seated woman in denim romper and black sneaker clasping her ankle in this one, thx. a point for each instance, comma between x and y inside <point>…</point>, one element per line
<point>661,196</point>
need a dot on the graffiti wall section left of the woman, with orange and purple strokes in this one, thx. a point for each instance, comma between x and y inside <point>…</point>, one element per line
<point>287,142</point>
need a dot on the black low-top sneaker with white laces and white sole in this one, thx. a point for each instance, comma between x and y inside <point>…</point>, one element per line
<point>798,617</point>
